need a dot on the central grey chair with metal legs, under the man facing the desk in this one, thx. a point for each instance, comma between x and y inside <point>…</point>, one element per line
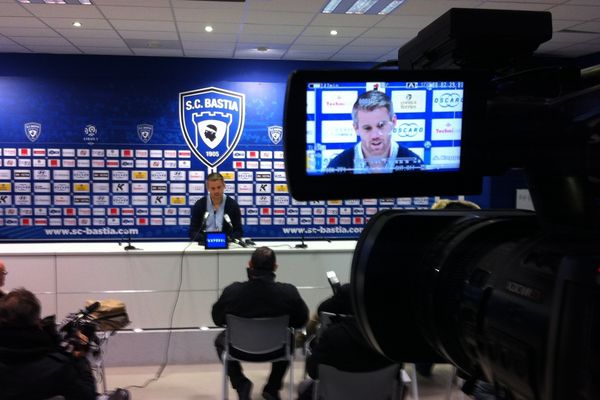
<point>258,340</point>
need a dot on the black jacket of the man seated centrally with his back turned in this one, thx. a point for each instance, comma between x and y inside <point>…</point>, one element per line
<point>261,297</point>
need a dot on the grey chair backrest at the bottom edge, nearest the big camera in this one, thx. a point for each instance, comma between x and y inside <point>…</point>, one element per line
<point>381,384</point>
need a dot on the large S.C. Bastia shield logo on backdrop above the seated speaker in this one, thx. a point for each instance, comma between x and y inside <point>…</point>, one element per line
<point>212,121</point>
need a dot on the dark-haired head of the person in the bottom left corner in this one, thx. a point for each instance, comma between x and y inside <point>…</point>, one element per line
<point>20,309</point>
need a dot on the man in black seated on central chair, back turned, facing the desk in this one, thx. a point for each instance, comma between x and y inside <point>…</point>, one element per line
<point>259,297</point>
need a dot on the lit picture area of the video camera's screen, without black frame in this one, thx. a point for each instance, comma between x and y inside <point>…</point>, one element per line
<point>383,127</point>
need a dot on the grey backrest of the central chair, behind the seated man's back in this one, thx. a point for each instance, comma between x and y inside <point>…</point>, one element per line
<point>258,335</point>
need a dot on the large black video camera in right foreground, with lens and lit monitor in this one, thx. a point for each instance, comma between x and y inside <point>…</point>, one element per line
<point>510,297</point>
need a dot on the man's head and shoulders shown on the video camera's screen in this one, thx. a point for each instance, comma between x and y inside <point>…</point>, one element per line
<point>373,119</point>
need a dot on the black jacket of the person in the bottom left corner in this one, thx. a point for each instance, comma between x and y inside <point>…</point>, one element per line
<point>32,367</point>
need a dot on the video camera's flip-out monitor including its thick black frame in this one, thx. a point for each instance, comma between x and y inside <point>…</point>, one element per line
<point>361,134</point>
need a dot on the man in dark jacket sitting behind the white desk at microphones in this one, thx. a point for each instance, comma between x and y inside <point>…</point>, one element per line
<point>216,212</point>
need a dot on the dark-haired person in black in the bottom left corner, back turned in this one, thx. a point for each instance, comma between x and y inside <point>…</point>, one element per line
<point>32,364</point>
